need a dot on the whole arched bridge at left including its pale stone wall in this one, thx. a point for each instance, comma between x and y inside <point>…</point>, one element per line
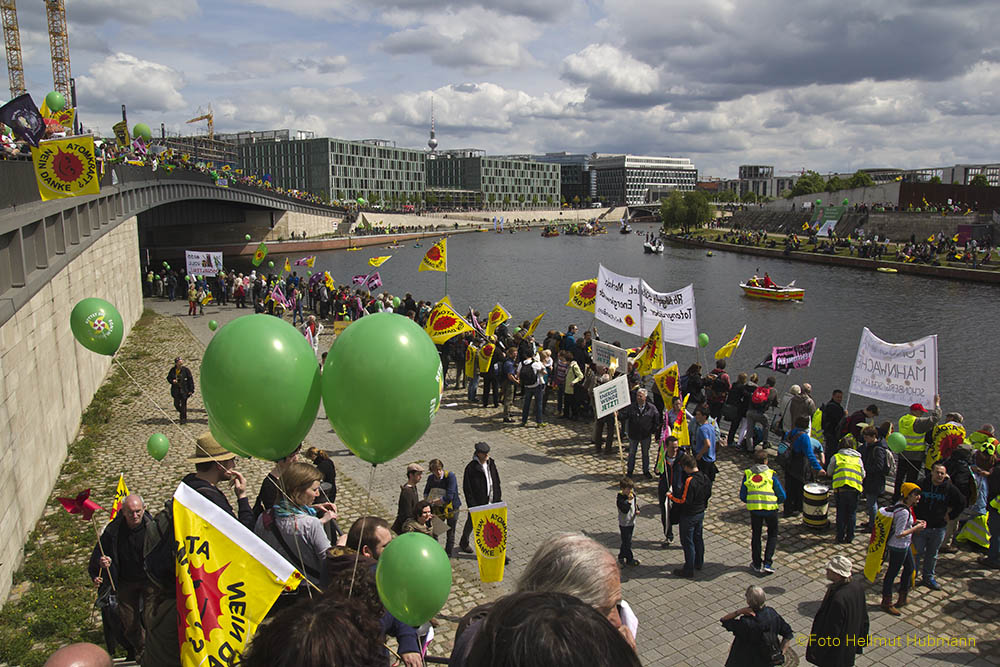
<point>52,254</point>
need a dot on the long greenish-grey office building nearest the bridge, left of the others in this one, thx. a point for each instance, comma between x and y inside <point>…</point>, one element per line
<point>337,169</point>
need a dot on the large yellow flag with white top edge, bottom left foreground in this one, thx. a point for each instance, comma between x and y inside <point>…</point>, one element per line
<point>227,580</point>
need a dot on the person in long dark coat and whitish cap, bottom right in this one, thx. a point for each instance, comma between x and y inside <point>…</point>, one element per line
<point>840,628</point>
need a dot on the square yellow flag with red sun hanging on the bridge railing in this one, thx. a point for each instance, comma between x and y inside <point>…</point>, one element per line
<point>66,168</point>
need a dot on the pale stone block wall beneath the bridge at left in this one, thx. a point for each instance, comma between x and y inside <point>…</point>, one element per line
<point>47,379</point>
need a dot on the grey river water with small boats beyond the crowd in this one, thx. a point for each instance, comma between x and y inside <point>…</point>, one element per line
<point>528,274</point>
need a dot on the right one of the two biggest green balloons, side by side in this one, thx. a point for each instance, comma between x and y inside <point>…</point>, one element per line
<point>381,386</point>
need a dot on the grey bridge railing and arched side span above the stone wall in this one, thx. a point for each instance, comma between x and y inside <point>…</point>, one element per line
<point>38,239</point>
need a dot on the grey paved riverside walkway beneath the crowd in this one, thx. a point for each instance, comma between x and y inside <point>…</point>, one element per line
<point>552,482</point>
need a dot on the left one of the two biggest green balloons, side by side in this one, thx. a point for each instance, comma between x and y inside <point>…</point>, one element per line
<point>260,384</point>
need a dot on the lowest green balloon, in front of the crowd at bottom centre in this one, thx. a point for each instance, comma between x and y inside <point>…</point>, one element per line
<point>413,578</point>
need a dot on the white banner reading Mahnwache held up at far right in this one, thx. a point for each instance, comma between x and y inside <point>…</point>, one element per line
<point>903,373</point>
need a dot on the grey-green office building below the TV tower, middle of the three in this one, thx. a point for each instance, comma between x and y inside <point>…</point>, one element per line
<point>504,182</point>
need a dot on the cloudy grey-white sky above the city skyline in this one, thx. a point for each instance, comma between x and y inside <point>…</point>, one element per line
<point>806,83</point>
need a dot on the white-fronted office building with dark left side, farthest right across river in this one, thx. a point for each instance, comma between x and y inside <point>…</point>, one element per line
<point>634,179</point>
